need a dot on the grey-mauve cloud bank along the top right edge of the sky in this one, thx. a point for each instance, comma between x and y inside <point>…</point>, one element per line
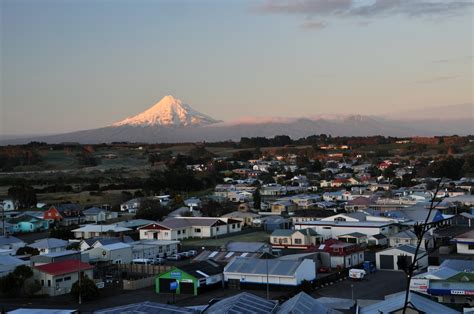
<point>364,9</point>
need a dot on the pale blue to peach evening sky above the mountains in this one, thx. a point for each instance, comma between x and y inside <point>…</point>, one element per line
<point>68,65</point>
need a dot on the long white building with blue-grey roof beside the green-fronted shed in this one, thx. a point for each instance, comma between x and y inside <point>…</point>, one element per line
<point>242,271</point>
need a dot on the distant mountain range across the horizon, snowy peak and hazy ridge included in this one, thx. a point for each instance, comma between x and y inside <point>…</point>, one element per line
<point>172,121</point>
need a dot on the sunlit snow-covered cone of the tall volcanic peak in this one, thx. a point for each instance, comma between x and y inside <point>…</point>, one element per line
<point>169,112</point>
